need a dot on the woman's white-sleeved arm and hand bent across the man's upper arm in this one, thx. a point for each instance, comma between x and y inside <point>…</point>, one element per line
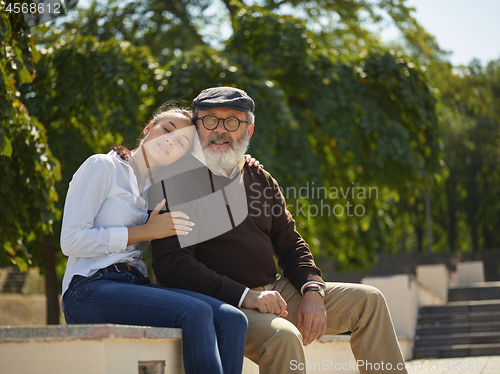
<point>87,191</point>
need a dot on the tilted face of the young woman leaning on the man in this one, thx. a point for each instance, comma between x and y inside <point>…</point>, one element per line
<point>169,140</point>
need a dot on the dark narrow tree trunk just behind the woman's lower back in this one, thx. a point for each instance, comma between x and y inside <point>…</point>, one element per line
<point>51,284</point>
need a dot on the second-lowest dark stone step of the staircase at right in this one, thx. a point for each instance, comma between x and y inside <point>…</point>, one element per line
<point>457,338</point>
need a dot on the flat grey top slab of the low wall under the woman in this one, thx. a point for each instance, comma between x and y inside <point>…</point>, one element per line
<point>90,331</point>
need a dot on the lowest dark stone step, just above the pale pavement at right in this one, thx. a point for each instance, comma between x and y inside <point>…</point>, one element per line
<point>462,350</point>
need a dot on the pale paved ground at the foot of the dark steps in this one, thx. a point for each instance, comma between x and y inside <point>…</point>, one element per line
<point>462,365</point>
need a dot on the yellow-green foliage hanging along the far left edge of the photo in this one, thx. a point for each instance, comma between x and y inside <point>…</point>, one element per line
<point>29,171</point>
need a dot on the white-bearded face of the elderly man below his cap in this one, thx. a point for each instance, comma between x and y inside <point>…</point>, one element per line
<point>220,145</point>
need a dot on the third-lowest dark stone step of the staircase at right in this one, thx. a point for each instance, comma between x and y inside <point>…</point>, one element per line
<point>444,327</point>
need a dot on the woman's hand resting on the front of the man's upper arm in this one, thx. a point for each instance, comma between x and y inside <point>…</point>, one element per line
<point>167,224</point>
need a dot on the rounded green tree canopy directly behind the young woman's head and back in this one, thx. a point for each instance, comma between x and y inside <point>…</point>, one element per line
<point>90,95</point>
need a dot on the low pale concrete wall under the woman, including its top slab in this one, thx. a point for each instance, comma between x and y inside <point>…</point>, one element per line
<point>83,349</point>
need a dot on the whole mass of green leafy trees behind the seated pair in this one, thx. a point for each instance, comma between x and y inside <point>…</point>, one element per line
<point>336,108</point>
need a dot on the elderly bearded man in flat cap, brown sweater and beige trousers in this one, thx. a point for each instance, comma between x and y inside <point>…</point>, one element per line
<point>231,257</point>
